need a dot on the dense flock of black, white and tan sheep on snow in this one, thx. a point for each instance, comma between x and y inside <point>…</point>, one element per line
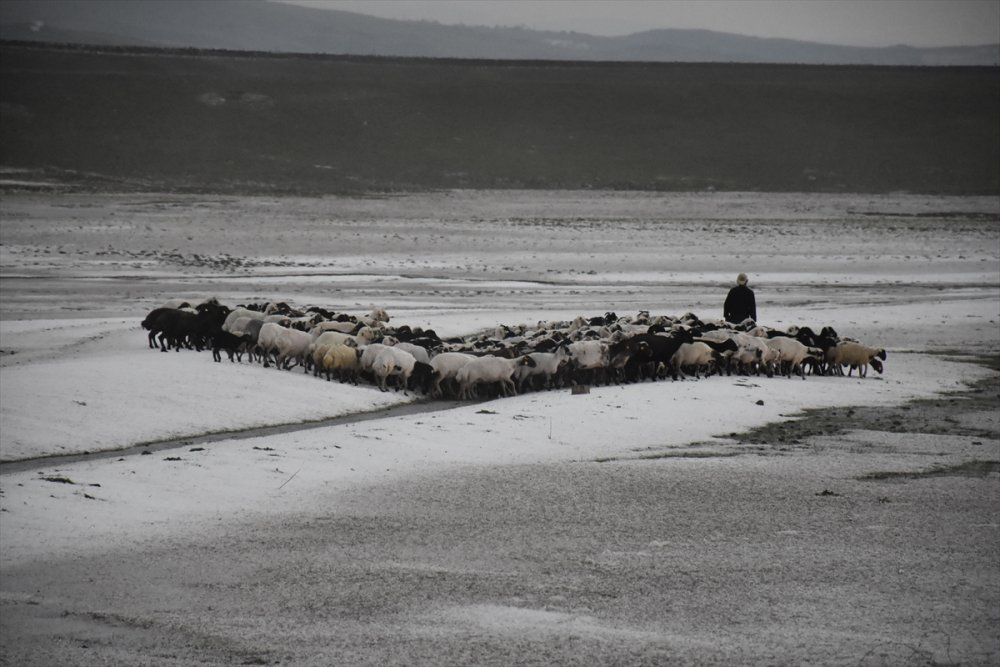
<point>509,360</point>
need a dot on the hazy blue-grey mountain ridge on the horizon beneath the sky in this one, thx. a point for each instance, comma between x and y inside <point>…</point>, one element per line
<point>259,25</point>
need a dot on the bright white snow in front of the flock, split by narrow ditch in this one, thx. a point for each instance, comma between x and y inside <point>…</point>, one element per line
<point>120,393</point>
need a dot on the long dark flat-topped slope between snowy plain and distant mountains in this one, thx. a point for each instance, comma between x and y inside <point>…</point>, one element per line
<point>243,122</point>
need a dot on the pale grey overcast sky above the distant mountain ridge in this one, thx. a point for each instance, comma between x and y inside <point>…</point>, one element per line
<point>850,22</point>
